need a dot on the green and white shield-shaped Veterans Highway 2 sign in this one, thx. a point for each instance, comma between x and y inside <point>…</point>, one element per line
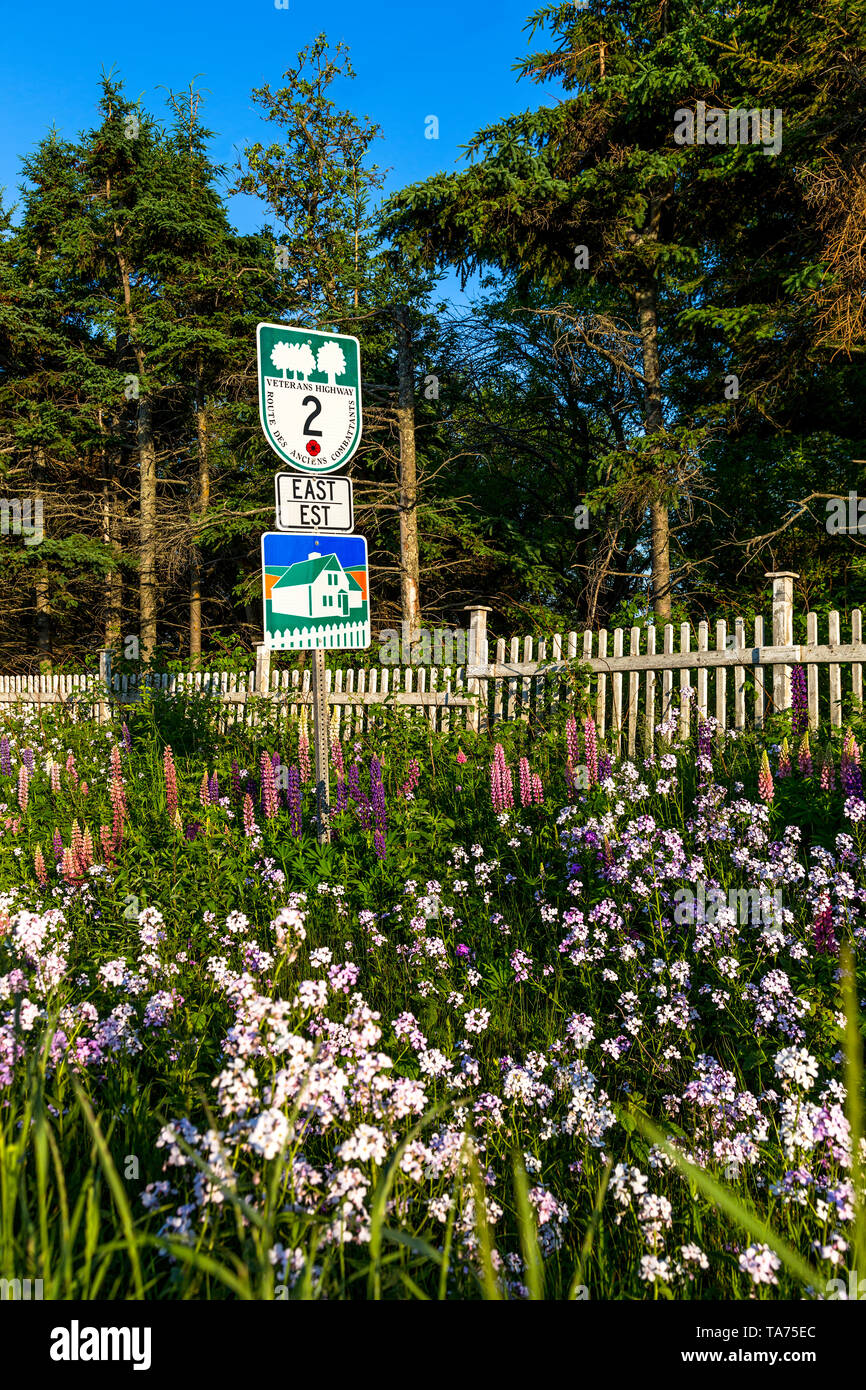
<point>309,397</point>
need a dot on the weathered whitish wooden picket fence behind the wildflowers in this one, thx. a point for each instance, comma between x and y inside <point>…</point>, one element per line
<point>640,682</point>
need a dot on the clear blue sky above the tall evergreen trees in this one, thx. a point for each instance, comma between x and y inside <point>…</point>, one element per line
<point>446,59</point>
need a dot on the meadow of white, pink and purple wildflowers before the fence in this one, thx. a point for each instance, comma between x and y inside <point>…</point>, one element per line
<point>515,1033</point>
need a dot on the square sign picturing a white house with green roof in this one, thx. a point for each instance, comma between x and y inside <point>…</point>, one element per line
<point>316,591</point>
